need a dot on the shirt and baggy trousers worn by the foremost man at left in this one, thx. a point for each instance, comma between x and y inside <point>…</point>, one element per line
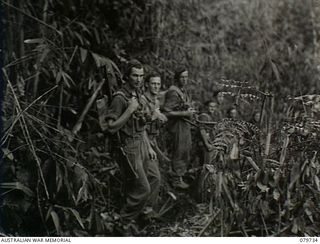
<point>141,190</point>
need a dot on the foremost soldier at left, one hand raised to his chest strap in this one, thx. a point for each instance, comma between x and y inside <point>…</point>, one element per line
<point>127,115</point>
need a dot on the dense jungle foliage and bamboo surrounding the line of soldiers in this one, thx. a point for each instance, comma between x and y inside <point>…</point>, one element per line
<point>58,176</point>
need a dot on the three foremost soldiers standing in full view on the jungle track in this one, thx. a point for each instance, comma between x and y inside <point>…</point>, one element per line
<point>137,133</point>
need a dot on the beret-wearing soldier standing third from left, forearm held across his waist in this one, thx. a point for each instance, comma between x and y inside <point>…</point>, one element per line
<point>177,109</point>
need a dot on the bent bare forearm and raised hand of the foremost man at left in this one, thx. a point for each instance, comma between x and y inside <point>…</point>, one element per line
<point>115,125</point>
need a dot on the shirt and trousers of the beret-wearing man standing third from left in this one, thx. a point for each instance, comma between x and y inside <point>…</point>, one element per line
<point>175,100</point>
